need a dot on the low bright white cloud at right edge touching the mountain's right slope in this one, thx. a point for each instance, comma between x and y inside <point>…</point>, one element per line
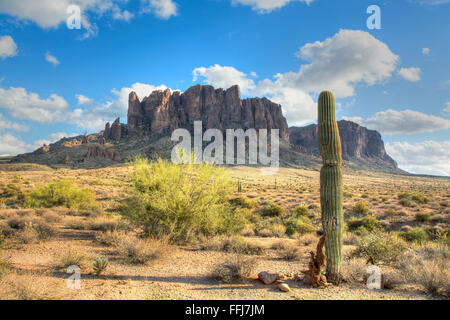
<point>428,157</point>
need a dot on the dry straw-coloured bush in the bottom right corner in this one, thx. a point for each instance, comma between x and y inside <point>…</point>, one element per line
<point>430,271</point>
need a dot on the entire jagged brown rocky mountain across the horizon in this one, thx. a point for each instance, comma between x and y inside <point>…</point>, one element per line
<point>152,119</point>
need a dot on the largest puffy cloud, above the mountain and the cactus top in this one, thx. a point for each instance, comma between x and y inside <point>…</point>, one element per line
<point>339,63</point>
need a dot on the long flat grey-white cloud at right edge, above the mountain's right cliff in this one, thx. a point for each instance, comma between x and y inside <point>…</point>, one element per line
<point>402,122</point>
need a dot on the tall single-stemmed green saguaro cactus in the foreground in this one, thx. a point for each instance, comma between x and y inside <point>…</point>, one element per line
<point>331,184</point>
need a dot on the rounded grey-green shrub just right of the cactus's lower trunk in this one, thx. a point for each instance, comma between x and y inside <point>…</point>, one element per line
<point>379,247</point>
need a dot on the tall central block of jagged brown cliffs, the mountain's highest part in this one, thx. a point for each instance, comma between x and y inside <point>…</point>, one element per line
<point>164,111</point>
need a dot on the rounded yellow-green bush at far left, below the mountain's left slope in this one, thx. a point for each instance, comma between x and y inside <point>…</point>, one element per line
<point>62,193</point>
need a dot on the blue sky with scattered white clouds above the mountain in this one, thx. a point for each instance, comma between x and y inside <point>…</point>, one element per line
<point>56,81</point>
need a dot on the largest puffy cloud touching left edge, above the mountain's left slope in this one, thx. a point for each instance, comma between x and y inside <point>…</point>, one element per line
<point>28,105</point>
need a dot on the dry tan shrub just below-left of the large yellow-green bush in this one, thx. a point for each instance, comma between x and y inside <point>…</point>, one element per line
<point>141,251</point>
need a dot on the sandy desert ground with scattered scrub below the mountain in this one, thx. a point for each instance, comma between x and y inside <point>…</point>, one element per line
<point>38,244</point>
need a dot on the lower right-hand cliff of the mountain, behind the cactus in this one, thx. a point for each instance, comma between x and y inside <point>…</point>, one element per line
<point>357,142</point>
